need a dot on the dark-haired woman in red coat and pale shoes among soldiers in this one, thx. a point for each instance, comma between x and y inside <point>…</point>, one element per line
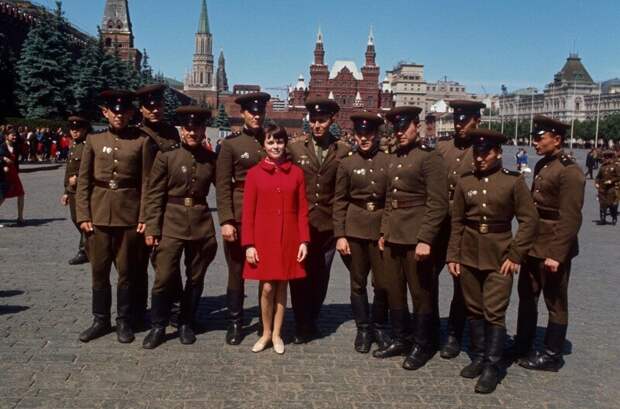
<point>274,232</point>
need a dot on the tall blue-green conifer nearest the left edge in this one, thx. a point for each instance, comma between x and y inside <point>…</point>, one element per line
<point>44,69</point>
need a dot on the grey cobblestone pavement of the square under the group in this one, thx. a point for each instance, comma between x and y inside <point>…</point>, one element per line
<point>44,304</point>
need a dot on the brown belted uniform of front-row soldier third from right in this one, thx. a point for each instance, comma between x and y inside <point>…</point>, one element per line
<point>416,205</point>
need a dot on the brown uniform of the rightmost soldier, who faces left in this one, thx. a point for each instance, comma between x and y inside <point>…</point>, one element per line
<point>558,192</point>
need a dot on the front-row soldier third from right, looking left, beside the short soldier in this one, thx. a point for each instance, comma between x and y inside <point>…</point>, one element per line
<point>416,205</point>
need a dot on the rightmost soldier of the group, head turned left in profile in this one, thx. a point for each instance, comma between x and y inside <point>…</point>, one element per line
<point>558,191</point>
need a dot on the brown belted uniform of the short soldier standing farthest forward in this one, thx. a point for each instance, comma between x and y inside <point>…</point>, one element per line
<point>481,240</point>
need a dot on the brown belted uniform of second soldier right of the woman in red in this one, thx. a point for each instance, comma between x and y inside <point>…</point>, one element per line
<point>359,199</point>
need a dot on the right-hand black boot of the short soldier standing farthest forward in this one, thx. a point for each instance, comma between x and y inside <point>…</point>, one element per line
<point>488,380</point>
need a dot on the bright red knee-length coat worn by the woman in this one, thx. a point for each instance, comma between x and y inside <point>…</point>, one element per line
<point>275,220</point>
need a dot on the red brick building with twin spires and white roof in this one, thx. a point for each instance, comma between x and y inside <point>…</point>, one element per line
<point>353,89</point>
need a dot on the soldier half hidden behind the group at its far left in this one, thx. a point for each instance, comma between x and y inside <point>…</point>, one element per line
<point>78,129</point>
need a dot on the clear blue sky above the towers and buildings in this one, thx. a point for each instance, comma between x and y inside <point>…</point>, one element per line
<point>480,43</point>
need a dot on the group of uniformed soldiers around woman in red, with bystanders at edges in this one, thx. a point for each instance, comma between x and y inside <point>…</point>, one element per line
<point>397,209</point>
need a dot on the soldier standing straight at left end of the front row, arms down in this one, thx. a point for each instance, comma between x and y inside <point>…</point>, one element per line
<point>110,211</point>
